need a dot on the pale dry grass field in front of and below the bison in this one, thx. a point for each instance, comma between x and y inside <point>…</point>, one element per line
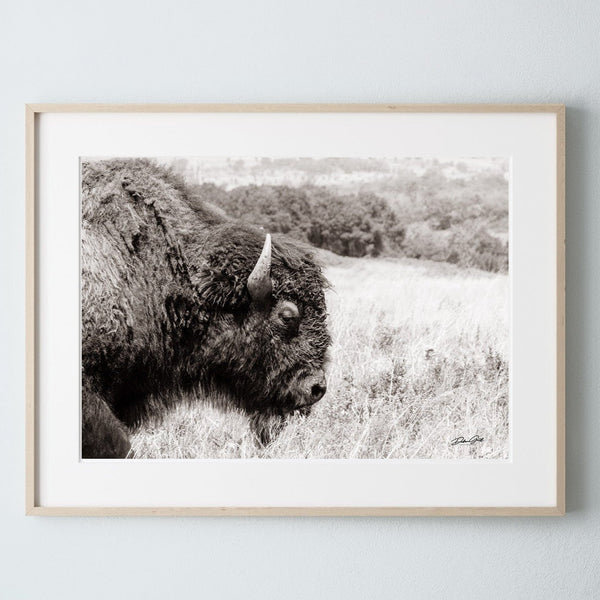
<point>419,358</point>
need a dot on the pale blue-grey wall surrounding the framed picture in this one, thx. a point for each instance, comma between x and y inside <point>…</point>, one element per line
<point>324,51</point>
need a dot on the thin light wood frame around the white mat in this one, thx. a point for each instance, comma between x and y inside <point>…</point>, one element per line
<point>32,509</point>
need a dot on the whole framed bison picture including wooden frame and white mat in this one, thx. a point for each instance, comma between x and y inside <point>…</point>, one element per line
<point>295,309</point>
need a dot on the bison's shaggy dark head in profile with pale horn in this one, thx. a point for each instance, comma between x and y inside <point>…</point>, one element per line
<point>266,339</point>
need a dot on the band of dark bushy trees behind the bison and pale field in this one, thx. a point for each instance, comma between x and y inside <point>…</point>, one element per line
<point>421,221</point>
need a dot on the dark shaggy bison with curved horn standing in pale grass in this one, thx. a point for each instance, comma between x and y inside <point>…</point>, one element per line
<point>178,299</point>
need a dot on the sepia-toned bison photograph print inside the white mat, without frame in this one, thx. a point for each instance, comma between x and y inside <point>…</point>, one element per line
<point>295,308</point>
